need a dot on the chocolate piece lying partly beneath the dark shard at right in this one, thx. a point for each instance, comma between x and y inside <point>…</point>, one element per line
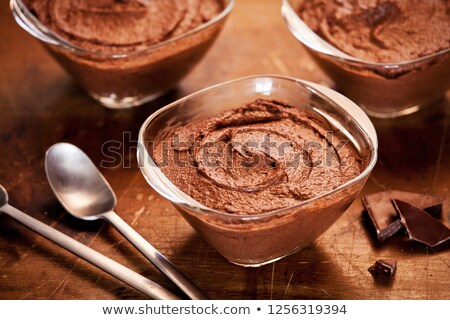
<point>382,212</point>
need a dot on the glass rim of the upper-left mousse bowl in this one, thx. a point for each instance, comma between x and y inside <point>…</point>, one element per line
<point>40,31</point>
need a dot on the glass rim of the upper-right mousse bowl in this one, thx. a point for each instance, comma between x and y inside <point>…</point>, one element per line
<point>288,11</point>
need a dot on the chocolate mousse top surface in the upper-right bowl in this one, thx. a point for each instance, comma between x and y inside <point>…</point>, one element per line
<point>381,30</point>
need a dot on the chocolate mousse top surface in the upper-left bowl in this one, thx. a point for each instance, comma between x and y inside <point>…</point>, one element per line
<point>122,25</point>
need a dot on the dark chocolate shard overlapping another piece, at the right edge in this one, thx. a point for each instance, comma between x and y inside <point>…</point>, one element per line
<point>420,225</point>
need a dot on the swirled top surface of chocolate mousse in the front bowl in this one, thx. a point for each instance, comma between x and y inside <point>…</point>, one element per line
<point>260,157</point>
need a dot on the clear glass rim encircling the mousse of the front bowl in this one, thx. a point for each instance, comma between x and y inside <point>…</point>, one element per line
<point>373,143</point>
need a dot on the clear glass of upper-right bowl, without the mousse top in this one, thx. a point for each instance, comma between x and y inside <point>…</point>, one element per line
<point>383,90</point>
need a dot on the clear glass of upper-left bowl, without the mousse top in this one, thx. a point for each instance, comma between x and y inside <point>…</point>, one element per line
<point>121,80</point>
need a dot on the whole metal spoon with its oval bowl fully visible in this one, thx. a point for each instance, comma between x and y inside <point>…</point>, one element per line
<point>85,193</point>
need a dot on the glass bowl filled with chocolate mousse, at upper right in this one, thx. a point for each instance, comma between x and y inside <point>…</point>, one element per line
<point>391,57</point>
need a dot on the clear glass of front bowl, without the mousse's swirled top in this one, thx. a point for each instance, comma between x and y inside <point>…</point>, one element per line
<point>254,240</point>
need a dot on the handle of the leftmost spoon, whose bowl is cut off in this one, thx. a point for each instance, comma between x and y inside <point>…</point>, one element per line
<point>106,264</point>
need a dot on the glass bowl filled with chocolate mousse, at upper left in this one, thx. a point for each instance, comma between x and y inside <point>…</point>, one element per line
<point>124,53</point>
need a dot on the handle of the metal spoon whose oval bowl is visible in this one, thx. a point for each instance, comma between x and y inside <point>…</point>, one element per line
<point>155,257</point>
